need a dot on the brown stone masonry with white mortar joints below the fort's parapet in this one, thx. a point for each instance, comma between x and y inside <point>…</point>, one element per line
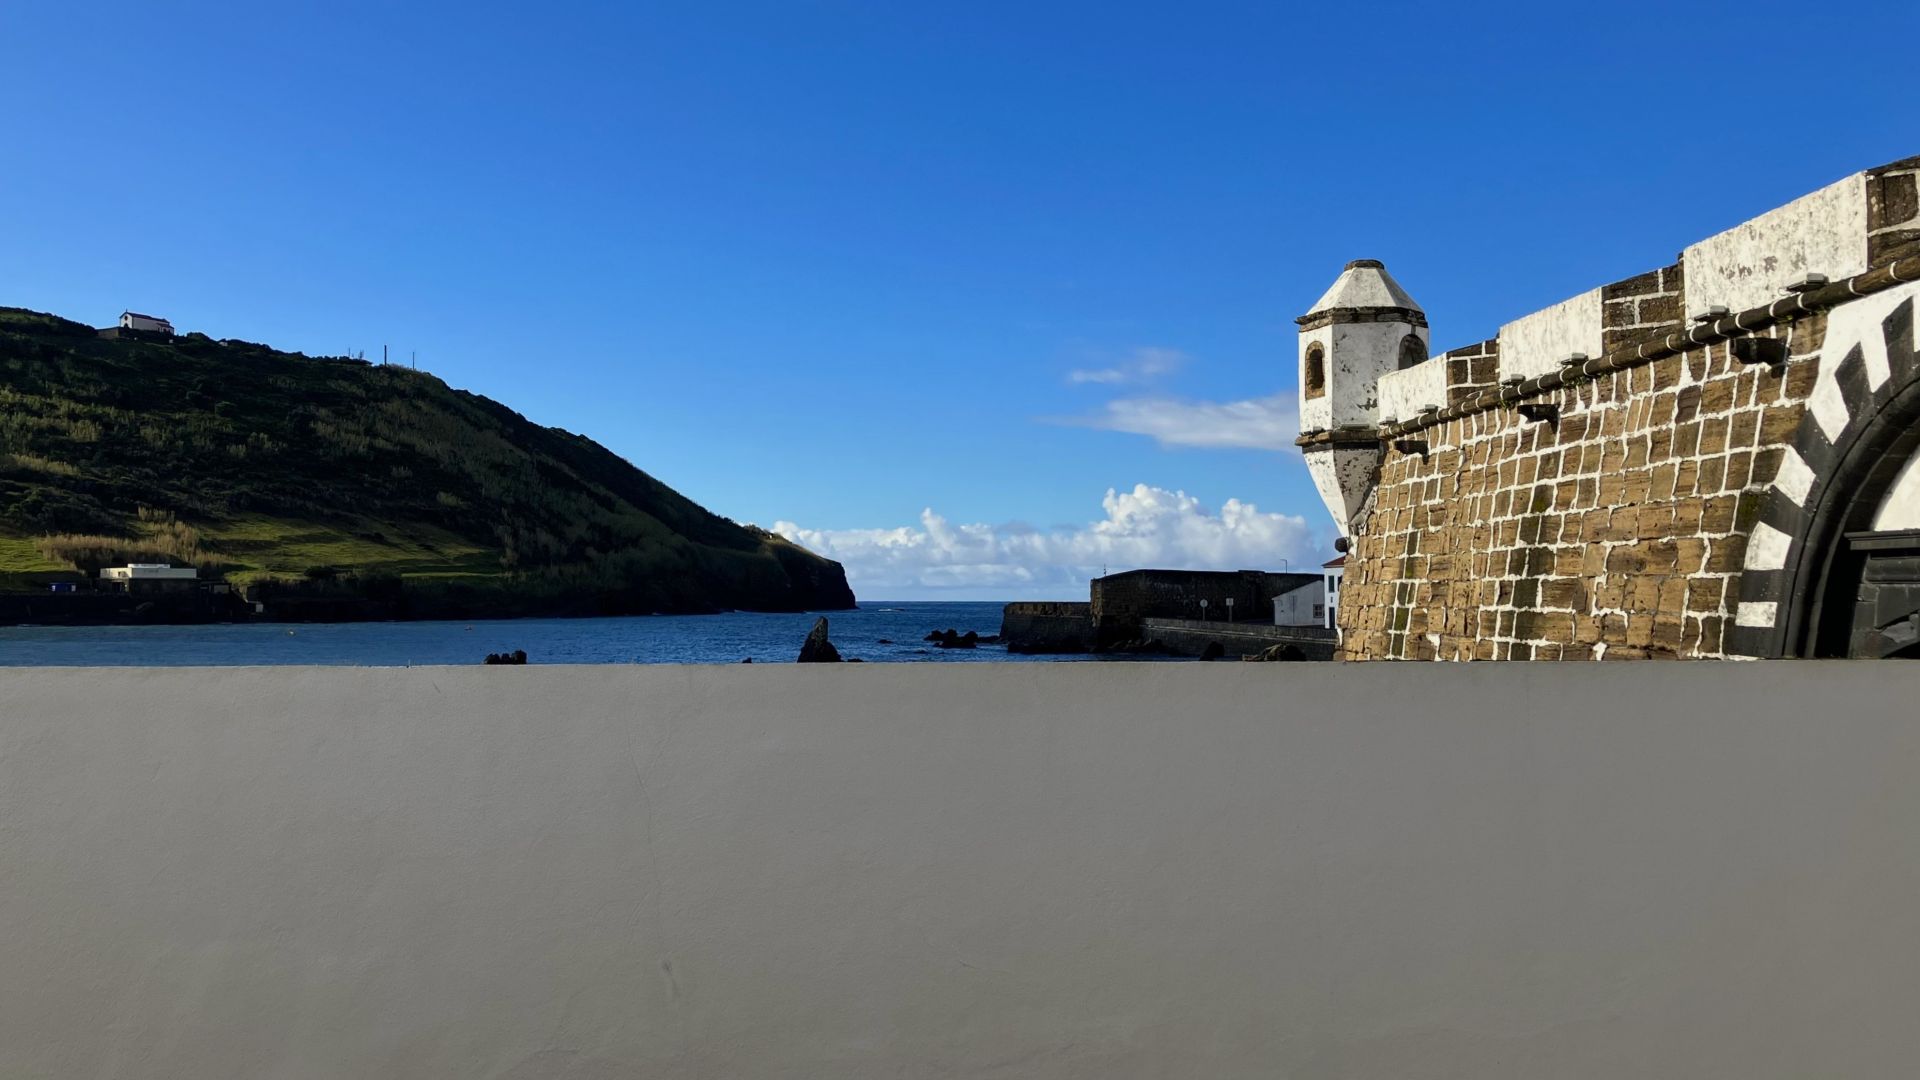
<point>1616,531</point>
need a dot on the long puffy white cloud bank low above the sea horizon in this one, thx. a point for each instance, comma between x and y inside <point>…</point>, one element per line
<point>1145,528</point>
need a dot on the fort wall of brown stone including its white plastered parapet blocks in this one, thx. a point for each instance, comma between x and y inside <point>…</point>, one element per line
<point>1627,474</point>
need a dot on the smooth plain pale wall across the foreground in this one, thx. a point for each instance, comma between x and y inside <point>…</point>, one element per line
<point>1092,871</point>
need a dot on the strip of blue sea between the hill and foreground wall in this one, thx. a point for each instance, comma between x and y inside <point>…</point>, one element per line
<point>884,633</point>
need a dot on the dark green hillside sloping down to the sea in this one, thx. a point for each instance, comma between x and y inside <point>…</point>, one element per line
<point>345,476</point>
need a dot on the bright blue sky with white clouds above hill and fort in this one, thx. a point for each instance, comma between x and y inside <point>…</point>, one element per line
<point>924,283</point>
